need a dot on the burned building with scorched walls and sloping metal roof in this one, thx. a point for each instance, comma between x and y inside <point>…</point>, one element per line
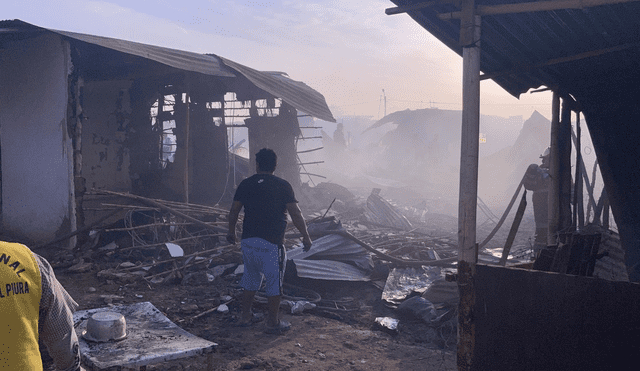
<point>81,112</point>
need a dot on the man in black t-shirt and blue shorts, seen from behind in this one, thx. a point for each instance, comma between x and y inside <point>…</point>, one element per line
<point>266,200</point>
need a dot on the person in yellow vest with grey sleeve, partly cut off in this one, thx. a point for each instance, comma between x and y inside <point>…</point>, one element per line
<point>33,306</point>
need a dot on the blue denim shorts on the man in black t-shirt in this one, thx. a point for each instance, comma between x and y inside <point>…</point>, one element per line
<point>262,258</point>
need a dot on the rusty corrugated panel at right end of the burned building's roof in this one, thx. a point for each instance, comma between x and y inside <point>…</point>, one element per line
<point>296,93</point>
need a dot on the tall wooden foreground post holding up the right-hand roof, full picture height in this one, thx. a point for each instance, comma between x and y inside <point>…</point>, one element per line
<point>468,193</point>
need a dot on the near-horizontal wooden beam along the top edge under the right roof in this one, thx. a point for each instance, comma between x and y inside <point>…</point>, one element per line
<point>537,6</point>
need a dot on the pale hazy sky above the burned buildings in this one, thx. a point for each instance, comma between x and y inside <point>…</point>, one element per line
<point>348,50</point>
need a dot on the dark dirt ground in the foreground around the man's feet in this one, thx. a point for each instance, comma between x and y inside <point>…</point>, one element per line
<point>318,340</point>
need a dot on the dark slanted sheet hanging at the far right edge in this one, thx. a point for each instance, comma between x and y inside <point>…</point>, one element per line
<point>614,123</point>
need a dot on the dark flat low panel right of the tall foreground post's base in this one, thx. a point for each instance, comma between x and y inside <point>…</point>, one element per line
<point>531,320</point>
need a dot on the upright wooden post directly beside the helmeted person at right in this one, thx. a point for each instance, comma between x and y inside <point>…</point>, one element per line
<point>554,173</point>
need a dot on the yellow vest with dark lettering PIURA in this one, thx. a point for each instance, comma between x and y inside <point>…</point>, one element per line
<point>20,292</point>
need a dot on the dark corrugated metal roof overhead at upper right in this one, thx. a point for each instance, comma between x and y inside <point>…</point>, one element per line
<point>570,49</point>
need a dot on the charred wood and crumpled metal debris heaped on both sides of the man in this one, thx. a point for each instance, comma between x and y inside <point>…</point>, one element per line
<point>157,242</point>
